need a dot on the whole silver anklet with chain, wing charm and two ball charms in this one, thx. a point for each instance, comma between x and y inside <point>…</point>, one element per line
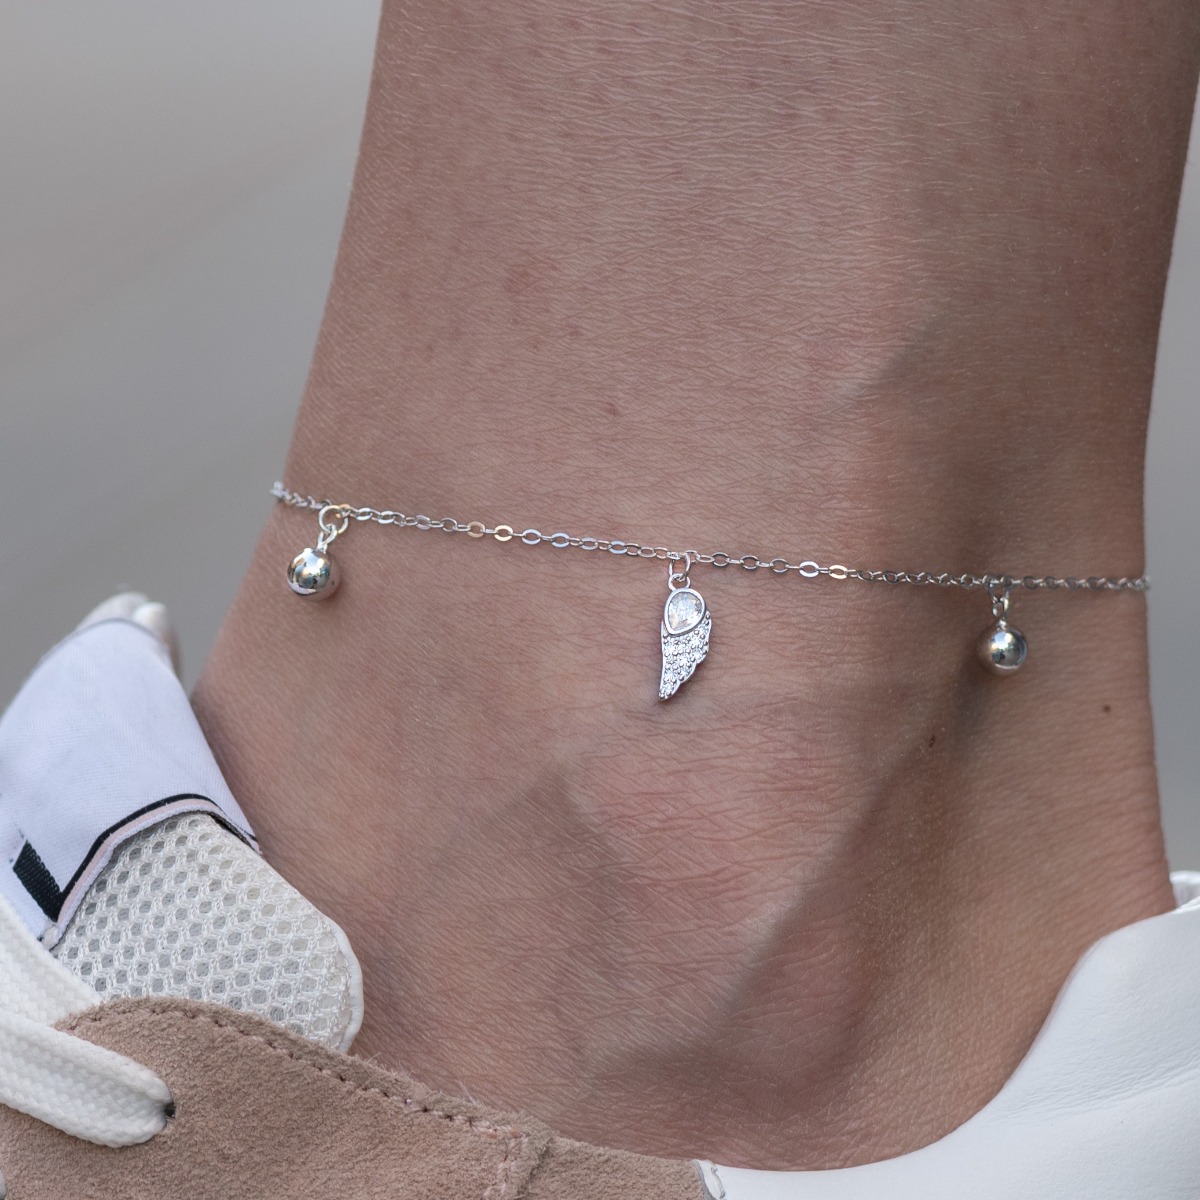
<point>687,622</point>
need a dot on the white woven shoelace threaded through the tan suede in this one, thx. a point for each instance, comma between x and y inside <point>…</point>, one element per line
<point>82,1089</point>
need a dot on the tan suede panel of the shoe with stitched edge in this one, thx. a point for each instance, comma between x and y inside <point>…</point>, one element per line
<point>265,1115</point>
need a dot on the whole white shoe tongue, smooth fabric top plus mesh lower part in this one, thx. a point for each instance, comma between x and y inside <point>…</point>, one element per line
<point>165,903</point>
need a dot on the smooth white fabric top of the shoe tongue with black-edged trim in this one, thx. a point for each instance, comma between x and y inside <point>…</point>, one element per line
<point>100,745</point>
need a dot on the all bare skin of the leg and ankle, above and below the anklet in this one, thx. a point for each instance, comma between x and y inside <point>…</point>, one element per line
<point>875,285</point>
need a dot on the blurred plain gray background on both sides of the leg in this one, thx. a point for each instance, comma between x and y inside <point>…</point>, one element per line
<point>172,185</point>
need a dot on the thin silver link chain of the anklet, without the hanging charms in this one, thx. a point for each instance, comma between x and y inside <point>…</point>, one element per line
<point>335,518</point>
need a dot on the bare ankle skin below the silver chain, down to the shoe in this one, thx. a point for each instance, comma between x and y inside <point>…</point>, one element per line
<point>574,899</point>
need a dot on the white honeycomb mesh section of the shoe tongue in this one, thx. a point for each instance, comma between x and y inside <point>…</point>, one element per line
<point>189,910</point>
